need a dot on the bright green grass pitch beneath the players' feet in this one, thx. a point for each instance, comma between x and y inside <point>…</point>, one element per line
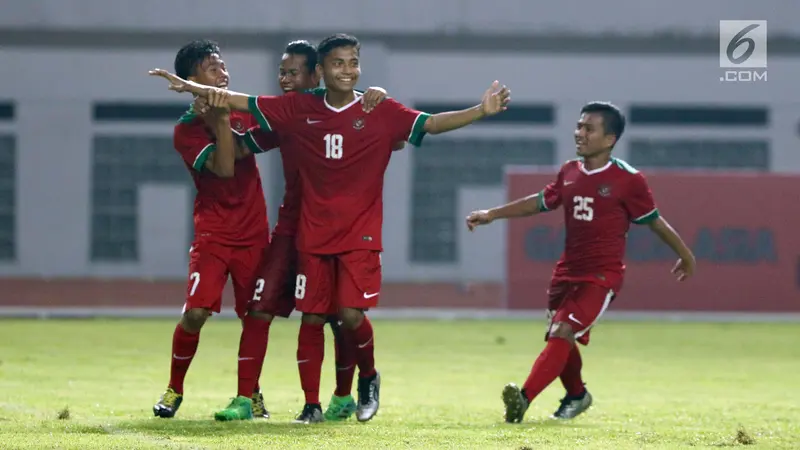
<point>656,385</point>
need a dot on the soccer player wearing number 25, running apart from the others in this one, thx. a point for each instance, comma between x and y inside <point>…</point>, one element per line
<point>601,196</point>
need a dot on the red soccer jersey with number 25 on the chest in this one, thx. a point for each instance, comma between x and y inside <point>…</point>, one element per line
<point>599,206</point>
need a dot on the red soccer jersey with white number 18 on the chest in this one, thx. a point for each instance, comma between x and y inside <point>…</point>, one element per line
<point>342,155</point>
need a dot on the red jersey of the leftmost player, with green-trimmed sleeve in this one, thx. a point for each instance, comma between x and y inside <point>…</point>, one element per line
<point>230,211</point>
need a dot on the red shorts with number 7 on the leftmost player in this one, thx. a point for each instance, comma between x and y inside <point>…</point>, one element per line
<point>210,264</point>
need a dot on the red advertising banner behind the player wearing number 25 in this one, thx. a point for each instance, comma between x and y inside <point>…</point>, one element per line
<point>743,228</point>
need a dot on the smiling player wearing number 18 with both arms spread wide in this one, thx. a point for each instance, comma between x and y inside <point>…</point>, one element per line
<point>342,155</point>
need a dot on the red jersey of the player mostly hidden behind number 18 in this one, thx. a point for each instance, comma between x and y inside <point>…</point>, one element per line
<point>289,213</point>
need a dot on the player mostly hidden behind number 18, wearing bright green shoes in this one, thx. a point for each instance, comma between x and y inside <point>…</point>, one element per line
<point>274,289</point>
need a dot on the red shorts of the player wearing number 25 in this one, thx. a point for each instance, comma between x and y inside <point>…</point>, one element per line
<point>579,304</point>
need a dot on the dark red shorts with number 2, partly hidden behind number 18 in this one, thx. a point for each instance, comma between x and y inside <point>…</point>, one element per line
<point>274,290</point>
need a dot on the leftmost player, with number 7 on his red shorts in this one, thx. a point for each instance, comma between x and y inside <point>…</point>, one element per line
<point>230,214</point>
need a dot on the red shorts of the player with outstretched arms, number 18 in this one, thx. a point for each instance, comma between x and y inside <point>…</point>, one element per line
<point>327,283</point>
